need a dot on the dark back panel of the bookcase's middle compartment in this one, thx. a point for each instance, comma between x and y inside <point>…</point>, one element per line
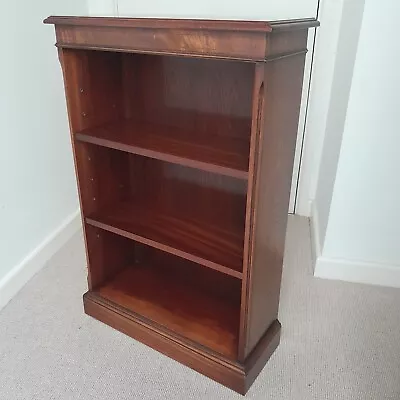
<point>196,194</point>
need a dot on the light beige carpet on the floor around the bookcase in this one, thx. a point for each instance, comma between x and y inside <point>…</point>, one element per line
<point>340,341</point>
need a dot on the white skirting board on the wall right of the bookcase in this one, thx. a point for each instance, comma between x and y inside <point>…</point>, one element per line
<point>349,270</point>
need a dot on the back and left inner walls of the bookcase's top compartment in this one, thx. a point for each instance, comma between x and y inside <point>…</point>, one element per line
<point>198,96</point>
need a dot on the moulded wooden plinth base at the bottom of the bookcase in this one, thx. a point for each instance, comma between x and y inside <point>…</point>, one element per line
<point>236,376</point>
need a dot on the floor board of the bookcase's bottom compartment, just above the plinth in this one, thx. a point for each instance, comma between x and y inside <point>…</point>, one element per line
<point>178,304</point>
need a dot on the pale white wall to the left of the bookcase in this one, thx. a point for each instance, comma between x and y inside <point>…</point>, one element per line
<point>37,184</point>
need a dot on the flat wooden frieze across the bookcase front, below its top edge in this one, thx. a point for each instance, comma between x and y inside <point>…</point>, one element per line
<point>188,43</point>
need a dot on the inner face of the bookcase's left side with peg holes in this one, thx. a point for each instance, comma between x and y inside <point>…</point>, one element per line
<point>96,169</point>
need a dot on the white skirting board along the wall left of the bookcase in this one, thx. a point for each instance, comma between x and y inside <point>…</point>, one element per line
<point>13,282</point>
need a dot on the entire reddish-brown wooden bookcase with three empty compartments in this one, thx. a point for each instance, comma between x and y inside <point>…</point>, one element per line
<point>183,134</point>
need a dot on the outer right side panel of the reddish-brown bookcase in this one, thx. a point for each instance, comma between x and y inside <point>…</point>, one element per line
<point>283,84</point>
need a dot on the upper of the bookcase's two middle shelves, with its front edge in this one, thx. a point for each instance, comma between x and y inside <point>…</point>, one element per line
<point>223,155</point>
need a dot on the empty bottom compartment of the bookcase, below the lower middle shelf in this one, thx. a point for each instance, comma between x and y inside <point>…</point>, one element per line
<point>196,303</point>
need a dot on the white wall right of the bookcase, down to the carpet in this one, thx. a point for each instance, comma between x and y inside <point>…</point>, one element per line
<point>362,241</point>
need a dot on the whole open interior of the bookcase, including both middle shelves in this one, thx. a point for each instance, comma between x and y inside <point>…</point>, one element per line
<point>162,152</point>
